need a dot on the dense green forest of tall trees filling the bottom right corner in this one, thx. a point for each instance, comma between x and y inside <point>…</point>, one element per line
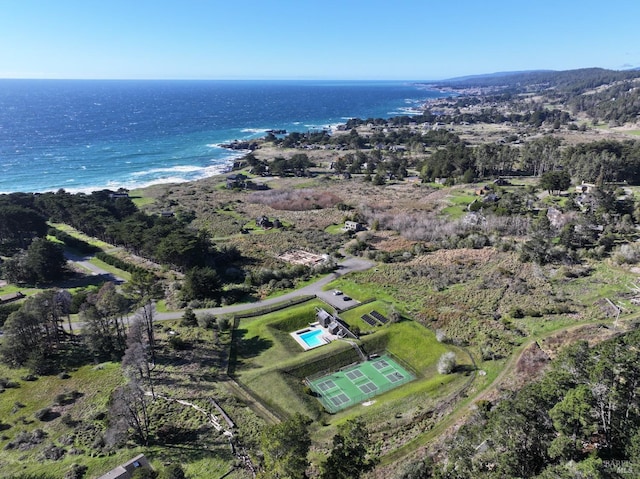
<point>582,419</point>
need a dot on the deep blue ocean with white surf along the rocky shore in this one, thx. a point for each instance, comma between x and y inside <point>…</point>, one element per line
<point>86,135</point>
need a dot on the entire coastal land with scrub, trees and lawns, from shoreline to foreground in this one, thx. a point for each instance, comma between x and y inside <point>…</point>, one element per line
<point>497,231</point>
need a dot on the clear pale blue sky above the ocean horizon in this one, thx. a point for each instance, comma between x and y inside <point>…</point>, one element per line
<point>303,39</point>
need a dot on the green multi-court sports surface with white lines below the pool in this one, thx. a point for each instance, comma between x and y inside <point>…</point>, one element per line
<point>359,382</point>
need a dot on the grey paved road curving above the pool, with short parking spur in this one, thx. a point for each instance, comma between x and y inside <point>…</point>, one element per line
<point>349,265</point>
